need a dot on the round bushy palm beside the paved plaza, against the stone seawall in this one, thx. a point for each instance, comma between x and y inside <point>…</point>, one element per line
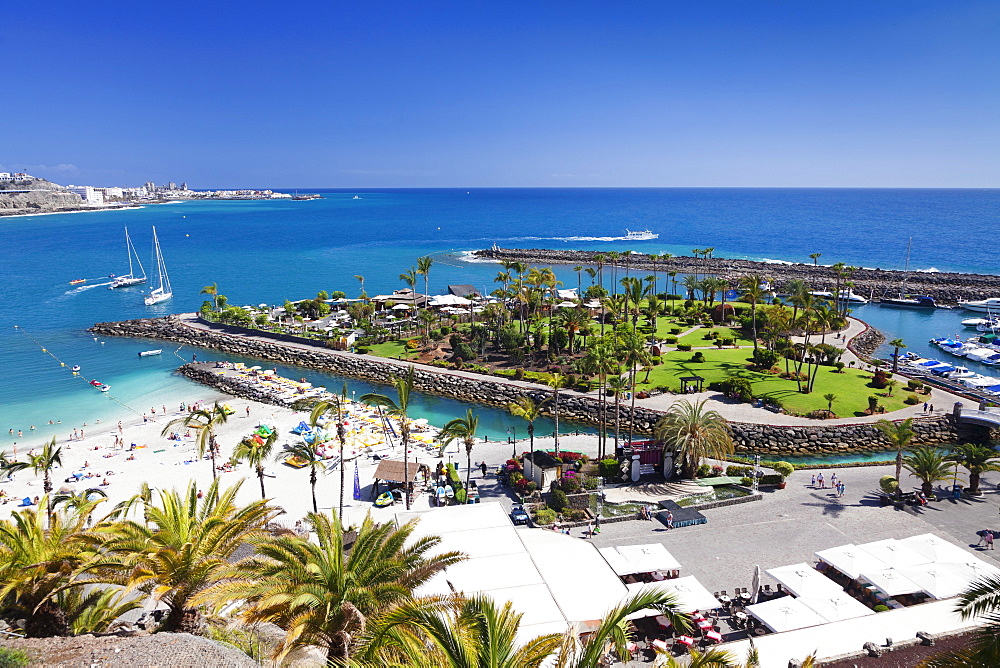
<point>694,433</point>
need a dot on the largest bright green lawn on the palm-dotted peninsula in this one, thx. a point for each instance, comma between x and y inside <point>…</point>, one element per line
<point>851,387</point>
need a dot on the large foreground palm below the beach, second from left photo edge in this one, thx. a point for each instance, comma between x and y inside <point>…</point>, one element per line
<point>183,552</point>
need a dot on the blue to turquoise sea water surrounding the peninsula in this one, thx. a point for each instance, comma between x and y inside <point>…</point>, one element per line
<point>269,251</point>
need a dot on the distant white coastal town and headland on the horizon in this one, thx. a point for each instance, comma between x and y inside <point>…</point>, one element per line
<point>21,193</point>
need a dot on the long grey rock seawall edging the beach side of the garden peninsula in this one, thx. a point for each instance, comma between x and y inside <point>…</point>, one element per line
<point>759,438</point>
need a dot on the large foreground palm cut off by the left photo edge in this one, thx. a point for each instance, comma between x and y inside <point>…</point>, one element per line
<point>39,557</point>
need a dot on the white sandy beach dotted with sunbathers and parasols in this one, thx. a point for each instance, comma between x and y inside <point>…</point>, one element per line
<point>163,463</point>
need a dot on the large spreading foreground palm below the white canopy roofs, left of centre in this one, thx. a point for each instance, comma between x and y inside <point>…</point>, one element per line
<point>322,592</point>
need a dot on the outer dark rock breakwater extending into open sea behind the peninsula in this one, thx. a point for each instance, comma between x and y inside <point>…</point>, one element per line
<point>945,287</point>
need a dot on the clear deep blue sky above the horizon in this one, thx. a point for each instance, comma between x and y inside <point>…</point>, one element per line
<point>512,93</point>
